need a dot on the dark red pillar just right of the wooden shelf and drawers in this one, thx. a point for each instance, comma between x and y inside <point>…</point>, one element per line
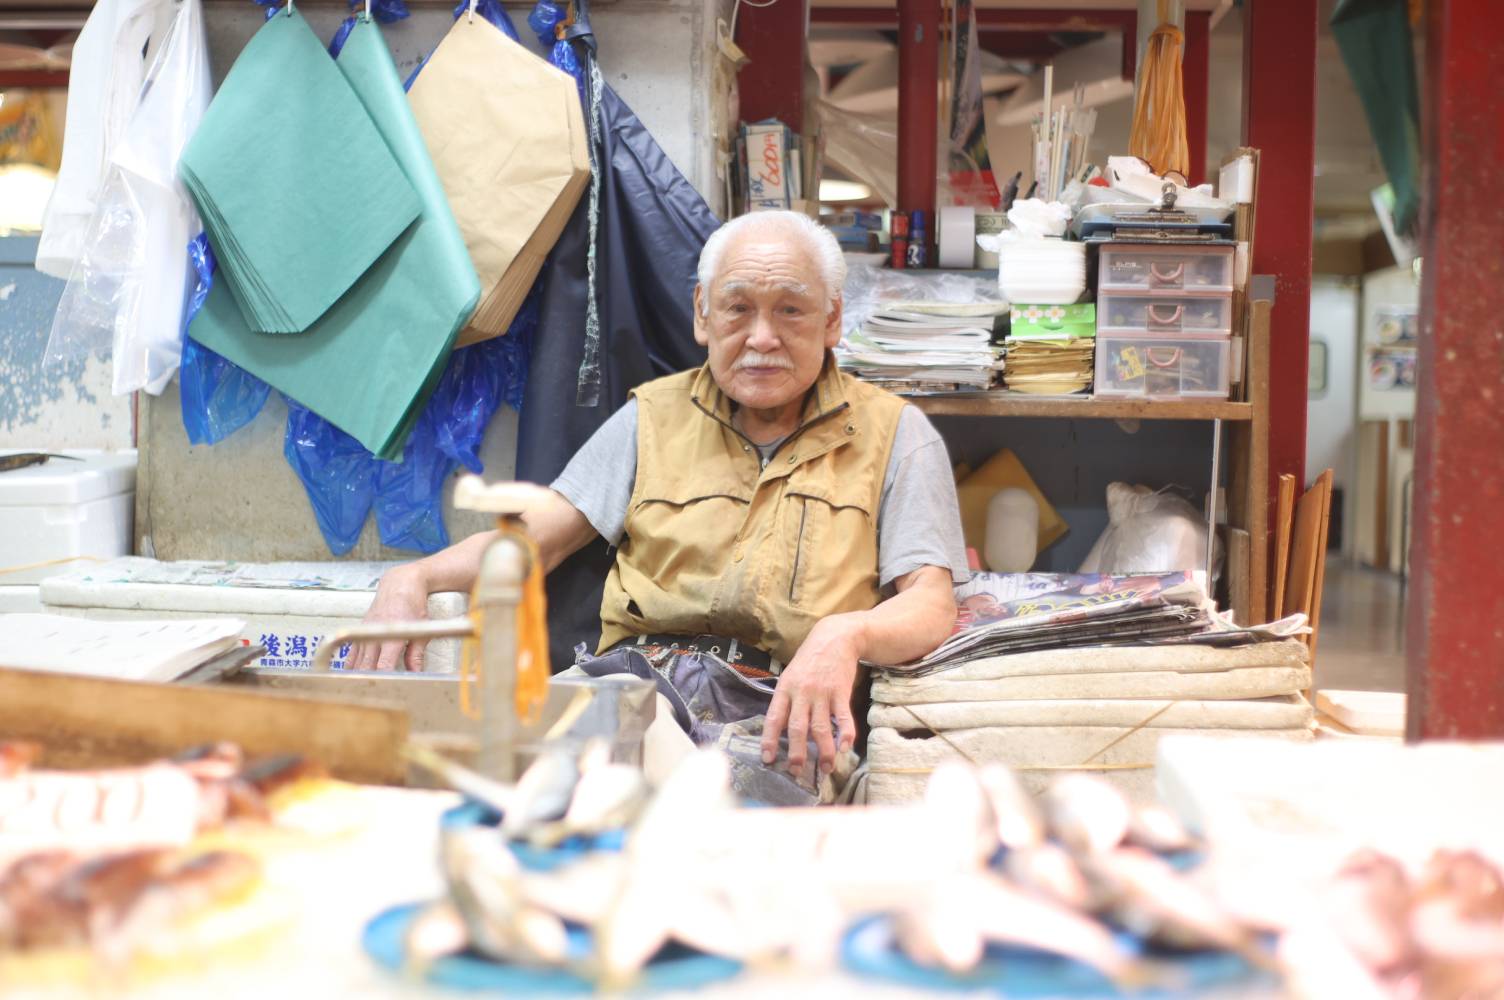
<point>1279,118</point>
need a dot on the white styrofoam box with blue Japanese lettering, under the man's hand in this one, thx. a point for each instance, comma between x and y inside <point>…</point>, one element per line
<point>288,607</point>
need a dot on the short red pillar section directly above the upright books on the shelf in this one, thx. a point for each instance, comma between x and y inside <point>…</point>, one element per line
<point>772,85</point>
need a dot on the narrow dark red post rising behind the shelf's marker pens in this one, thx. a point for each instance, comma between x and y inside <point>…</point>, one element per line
<point>918,106</point>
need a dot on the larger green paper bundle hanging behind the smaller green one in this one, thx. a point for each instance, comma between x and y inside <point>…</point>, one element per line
<point>371,363</point>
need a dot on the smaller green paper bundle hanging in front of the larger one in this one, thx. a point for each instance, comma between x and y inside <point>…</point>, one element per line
<point>300,195</point>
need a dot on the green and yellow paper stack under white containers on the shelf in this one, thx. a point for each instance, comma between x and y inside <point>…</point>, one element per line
<point>1051,350</point>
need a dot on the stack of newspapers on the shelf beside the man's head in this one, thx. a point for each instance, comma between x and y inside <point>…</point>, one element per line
<point>926,348</point>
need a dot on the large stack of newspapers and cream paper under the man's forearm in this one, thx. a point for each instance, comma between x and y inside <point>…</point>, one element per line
<point>1082,674</point>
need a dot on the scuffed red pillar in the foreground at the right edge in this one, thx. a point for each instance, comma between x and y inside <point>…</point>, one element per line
<point>1457,596</point>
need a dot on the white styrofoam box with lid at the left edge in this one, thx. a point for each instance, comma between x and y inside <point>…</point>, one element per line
<point>64,511</point>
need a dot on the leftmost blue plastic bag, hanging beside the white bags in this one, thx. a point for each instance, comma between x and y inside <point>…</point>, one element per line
<point>217,396</point>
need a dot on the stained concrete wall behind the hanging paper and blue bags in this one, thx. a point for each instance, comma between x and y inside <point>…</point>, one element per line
<point>240,500</point>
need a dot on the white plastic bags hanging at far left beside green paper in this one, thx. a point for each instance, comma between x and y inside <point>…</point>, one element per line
<point>129,286</point>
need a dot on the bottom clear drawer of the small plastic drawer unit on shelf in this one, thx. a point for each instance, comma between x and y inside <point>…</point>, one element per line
<point>1163,368</point>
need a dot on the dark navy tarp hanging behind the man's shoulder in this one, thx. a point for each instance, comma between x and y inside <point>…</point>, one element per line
<point>650,231</point>
